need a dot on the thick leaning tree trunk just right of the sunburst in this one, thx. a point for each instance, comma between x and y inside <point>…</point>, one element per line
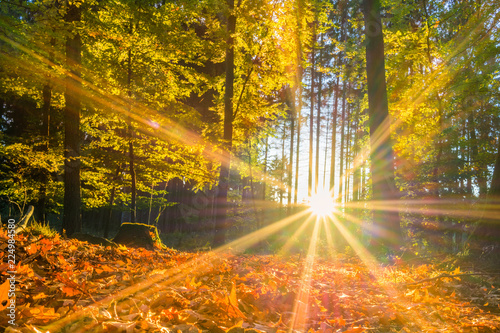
<point>382,156</point>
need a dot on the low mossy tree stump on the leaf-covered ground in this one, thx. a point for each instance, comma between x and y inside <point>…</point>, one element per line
<point>138,235</point>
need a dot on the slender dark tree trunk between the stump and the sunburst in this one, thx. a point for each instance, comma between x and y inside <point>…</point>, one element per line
<point>221,217</point>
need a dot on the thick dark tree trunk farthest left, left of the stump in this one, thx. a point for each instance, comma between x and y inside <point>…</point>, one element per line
<point>72,201</point>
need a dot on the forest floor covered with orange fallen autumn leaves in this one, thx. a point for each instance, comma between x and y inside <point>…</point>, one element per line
<point>65,285</point>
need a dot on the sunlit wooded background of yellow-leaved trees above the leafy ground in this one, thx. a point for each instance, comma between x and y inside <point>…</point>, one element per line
<point>160,112</point>
